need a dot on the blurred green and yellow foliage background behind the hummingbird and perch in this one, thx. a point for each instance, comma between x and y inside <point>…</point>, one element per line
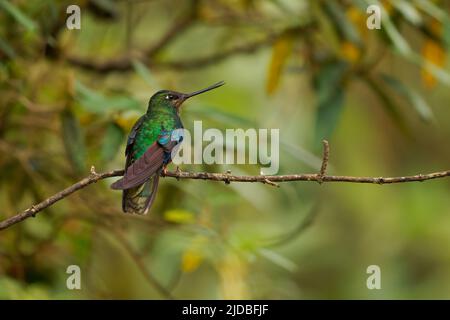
<point>68,99</point>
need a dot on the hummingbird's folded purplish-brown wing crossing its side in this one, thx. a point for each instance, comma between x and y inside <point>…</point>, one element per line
<point>143,168</point>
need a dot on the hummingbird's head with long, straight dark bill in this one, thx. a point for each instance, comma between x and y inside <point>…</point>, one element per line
<point>174,99</point>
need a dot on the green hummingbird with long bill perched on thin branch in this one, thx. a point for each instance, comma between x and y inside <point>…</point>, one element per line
<point>149,148</point>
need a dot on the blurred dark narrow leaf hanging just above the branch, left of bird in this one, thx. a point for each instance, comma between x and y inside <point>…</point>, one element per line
<point>73,138</point>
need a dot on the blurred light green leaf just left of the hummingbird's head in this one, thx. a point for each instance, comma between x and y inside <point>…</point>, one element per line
<point>95,102</point>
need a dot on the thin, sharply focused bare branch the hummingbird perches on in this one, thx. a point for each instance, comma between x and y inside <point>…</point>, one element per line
<point>227,177</point>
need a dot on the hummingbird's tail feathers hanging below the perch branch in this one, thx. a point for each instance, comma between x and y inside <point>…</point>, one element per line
<point>138,200</point>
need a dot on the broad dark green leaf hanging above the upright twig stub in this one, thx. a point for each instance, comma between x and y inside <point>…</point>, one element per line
<point>330,100</point>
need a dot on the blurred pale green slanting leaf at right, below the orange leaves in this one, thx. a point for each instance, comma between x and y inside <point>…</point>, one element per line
<point>415,99</point>
